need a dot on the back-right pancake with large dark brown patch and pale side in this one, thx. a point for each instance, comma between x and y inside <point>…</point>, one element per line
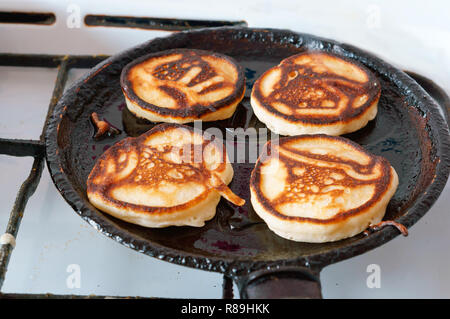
<point>316,92</point>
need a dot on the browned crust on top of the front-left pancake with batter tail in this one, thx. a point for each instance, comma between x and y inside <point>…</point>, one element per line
<point>122,149</point>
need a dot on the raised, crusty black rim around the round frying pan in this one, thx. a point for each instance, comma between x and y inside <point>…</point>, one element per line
<point>237,267</point>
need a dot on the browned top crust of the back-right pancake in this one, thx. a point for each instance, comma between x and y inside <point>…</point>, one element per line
<point>299,83</point>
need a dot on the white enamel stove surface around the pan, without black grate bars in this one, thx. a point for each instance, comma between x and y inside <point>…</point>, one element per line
<point>413,35</point>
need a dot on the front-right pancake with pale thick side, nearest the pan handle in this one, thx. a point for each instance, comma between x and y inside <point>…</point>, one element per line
<point>320,188</point>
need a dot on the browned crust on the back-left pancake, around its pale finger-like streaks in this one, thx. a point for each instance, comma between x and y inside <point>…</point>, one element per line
<point>173,71</point>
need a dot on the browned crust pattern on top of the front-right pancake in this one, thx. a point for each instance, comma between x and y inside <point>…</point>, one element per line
<point>319,174</point>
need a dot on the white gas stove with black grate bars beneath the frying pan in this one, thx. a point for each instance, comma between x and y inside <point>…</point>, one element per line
<point>46,46</point>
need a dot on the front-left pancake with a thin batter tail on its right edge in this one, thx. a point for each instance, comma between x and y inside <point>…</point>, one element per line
<point>170,175</point>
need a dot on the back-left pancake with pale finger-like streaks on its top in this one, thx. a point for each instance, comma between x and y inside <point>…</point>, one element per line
<point>183,85</point>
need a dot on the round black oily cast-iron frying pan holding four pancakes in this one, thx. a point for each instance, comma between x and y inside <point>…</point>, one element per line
<point>410,130</point>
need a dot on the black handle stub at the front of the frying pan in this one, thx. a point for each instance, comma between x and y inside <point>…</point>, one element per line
<point>281,283</point>
